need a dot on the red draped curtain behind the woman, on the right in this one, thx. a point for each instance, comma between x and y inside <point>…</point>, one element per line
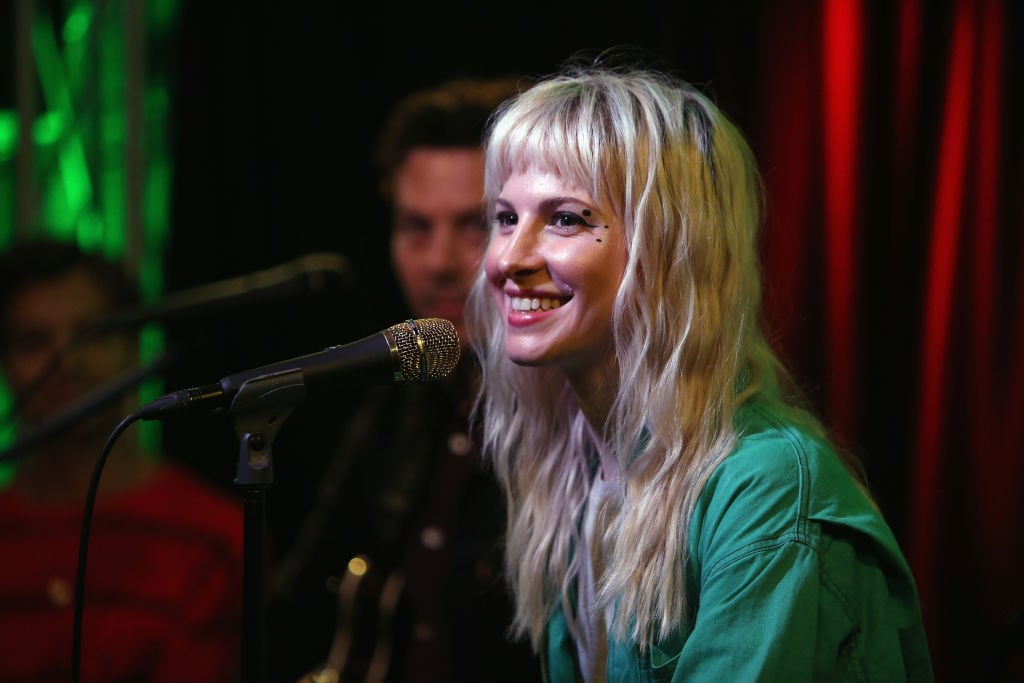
<point>893,255</point>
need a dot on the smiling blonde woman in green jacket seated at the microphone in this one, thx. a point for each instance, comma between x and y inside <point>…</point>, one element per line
<point>675,515</point>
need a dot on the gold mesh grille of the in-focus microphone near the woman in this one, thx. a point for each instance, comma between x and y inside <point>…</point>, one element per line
<point>429,349</point>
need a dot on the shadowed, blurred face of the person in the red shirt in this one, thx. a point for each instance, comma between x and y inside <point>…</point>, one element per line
<point>42,319</point>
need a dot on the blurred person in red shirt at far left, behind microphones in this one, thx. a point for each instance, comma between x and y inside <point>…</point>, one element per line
<point>163,599</point>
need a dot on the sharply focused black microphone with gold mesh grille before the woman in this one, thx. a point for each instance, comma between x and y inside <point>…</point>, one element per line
<point>417,351</point>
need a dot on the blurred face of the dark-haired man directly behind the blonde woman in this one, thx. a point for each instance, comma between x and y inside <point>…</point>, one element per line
<point>439,234</point>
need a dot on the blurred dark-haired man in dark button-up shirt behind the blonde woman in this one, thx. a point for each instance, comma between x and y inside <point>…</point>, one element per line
<point>407,529</point>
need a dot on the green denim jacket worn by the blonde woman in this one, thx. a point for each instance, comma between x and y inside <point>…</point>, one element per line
<point>793,576</point>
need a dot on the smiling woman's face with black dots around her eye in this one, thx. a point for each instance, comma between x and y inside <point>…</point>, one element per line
<point>554,265</point>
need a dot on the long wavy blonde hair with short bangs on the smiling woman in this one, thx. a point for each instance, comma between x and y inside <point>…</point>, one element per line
<point>688,338</point>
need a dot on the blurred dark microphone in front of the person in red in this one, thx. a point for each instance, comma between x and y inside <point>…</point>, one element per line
<point>308,275</point>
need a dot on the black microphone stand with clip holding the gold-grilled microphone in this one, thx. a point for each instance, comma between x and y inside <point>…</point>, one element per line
<point>262,407</point>
